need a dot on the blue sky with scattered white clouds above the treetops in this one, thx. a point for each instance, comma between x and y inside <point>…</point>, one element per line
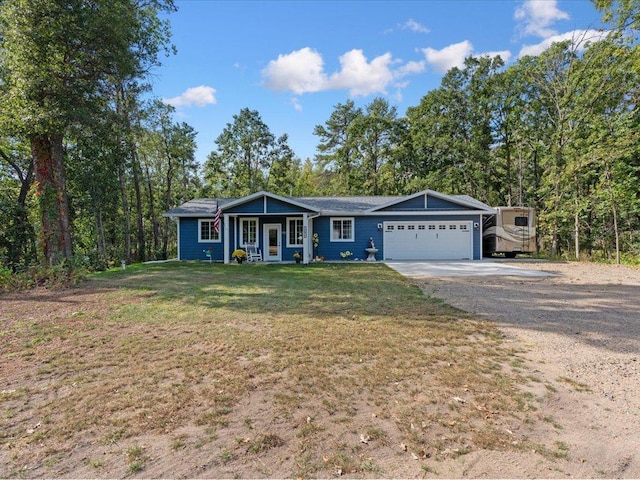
<point>294,61</point>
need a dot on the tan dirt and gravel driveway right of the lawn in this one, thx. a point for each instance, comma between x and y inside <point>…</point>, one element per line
<point>581,330</point>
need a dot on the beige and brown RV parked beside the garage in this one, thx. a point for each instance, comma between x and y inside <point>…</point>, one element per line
<point>512,230</point>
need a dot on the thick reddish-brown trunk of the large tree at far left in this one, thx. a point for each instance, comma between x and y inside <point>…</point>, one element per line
<point>51,192</point>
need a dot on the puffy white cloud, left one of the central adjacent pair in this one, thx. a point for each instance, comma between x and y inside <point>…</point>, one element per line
<point>300,71</point>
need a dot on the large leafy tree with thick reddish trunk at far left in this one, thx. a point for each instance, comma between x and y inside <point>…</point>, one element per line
<point>58,56</point>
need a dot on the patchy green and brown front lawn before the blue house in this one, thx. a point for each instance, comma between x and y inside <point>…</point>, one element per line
<point>197,369</point>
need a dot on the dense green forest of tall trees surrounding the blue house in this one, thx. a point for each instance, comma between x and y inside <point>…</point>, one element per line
<point>90,160</point>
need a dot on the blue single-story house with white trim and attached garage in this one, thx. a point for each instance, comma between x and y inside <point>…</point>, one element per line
<point>424,226</point>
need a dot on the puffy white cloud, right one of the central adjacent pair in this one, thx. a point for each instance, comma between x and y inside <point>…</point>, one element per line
<point>360,77</point>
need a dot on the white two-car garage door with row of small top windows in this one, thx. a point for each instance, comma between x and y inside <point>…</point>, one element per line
<point>428,240</point>
